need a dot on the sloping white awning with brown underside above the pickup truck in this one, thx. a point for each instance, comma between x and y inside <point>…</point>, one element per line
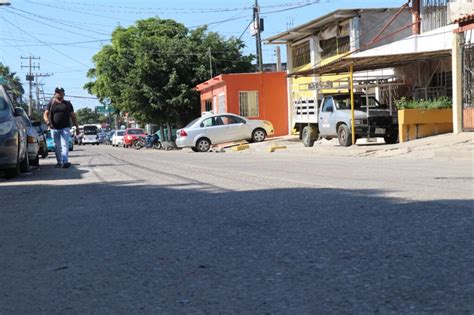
<point>435,44</point>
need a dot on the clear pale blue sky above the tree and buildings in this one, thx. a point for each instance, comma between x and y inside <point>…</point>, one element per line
<point>66,34</point>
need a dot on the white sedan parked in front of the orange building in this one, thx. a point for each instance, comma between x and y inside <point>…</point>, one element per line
<point>211,129</point>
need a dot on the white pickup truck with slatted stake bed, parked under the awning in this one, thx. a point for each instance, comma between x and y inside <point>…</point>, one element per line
<point>331,118</point>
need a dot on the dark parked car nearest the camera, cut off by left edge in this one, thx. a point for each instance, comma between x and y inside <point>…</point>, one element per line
<point>13,138</point>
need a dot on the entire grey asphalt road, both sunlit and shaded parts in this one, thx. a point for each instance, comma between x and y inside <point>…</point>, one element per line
<point>125,231</point>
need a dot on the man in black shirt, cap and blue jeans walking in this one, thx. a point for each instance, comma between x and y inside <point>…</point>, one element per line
<point>58,115</point>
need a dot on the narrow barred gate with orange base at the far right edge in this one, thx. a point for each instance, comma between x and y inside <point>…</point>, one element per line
<point>468,88</point>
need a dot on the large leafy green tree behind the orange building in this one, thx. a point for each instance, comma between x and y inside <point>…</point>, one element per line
<point>150,69</point>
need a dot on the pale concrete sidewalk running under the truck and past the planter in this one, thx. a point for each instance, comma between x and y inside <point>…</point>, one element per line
<point>445,146</point>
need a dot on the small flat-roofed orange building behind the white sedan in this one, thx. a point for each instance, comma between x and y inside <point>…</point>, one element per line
<point>261,95</point>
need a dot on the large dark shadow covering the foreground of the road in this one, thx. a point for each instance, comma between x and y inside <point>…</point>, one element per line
<point>123,247</point>
